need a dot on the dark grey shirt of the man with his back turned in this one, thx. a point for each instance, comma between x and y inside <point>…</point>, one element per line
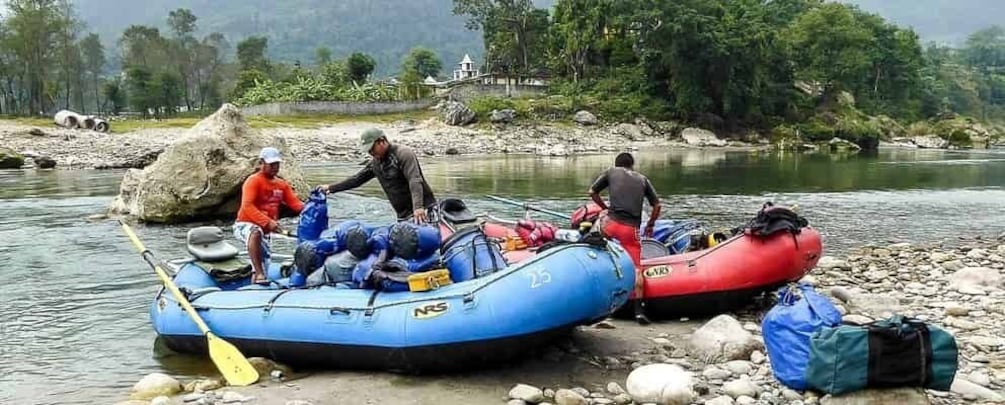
<point>629,188</point>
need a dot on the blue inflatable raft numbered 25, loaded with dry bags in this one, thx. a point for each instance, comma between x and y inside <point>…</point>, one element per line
<point>488,320</point>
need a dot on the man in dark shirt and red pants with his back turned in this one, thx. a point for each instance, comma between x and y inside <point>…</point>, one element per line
<point>625,217</point>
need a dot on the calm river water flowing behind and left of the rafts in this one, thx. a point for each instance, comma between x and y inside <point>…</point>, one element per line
<point>74,322</point>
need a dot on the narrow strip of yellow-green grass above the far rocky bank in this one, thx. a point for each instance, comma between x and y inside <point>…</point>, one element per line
<point>299,121</point>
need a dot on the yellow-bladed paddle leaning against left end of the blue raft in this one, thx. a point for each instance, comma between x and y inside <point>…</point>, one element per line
<point>236,368</point>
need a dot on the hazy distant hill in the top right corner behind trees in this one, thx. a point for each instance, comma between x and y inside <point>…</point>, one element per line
<point>947,22</point>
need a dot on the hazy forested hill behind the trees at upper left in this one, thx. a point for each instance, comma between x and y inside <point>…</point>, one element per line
<point>385,30</point>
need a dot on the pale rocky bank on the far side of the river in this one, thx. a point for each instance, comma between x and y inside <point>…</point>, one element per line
<point>82,149</point>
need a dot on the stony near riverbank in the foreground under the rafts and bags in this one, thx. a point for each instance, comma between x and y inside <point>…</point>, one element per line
<point>958,289</point>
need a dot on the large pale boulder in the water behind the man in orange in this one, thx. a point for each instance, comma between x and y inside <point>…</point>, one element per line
<point>200,175</point>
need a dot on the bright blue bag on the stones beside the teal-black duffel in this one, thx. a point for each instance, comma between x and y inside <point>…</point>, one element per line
<point>787,330</point>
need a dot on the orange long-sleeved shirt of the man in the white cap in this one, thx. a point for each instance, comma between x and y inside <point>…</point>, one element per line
<point>261,199</point>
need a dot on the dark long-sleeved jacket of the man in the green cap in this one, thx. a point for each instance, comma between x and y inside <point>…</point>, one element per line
<point>401,178</point>
